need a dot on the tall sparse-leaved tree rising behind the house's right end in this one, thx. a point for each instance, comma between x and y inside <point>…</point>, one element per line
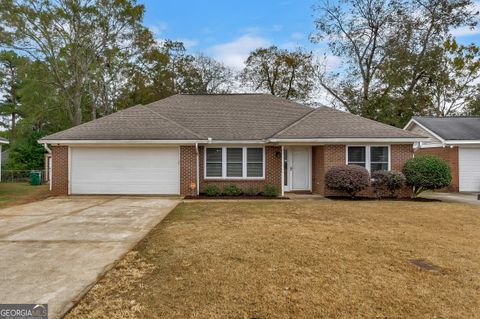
<point>391,52</point>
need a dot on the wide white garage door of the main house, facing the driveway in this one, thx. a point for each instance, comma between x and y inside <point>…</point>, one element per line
<point>120,170</point>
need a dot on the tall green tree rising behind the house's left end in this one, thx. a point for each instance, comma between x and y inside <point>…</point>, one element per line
<point>80,42</point>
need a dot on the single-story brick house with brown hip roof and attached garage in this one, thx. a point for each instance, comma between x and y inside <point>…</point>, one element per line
<point>176,144</point>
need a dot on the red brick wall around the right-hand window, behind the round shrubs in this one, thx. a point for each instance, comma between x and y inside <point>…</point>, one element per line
<point>328,156</point>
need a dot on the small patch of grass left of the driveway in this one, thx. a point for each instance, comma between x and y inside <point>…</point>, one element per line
<point>12,193</point>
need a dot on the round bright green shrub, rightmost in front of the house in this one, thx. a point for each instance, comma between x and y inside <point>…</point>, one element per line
<point>427,173</point>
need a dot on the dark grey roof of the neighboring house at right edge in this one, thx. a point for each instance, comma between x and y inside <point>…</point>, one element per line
<point>451,128</point>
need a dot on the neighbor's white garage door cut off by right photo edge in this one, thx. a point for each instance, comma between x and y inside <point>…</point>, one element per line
<point>469,169</point>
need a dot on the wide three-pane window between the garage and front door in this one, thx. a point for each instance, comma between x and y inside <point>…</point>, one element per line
<point>234,162</point>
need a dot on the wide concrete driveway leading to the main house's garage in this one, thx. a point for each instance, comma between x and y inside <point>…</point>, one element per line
<point>52,251</point>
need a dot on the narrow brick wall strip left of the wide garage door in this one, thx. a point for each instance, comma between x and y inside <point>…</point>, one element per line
<point>59,170</point>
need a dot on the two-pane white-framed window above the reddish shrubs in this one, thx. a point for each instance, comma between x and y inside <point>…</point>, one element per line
<point>373,158</point>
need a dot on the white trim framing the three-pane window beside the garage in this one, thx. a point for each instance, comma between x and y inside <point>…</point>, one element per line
<point>224,164</point>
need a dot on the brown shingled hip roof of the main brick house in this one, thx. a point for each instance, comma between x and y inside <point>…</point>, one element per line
<point>228,117</point>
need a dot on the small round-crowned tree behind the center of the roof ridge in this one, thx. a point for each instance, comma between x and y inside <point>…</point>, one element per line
<point>283,73</point>
